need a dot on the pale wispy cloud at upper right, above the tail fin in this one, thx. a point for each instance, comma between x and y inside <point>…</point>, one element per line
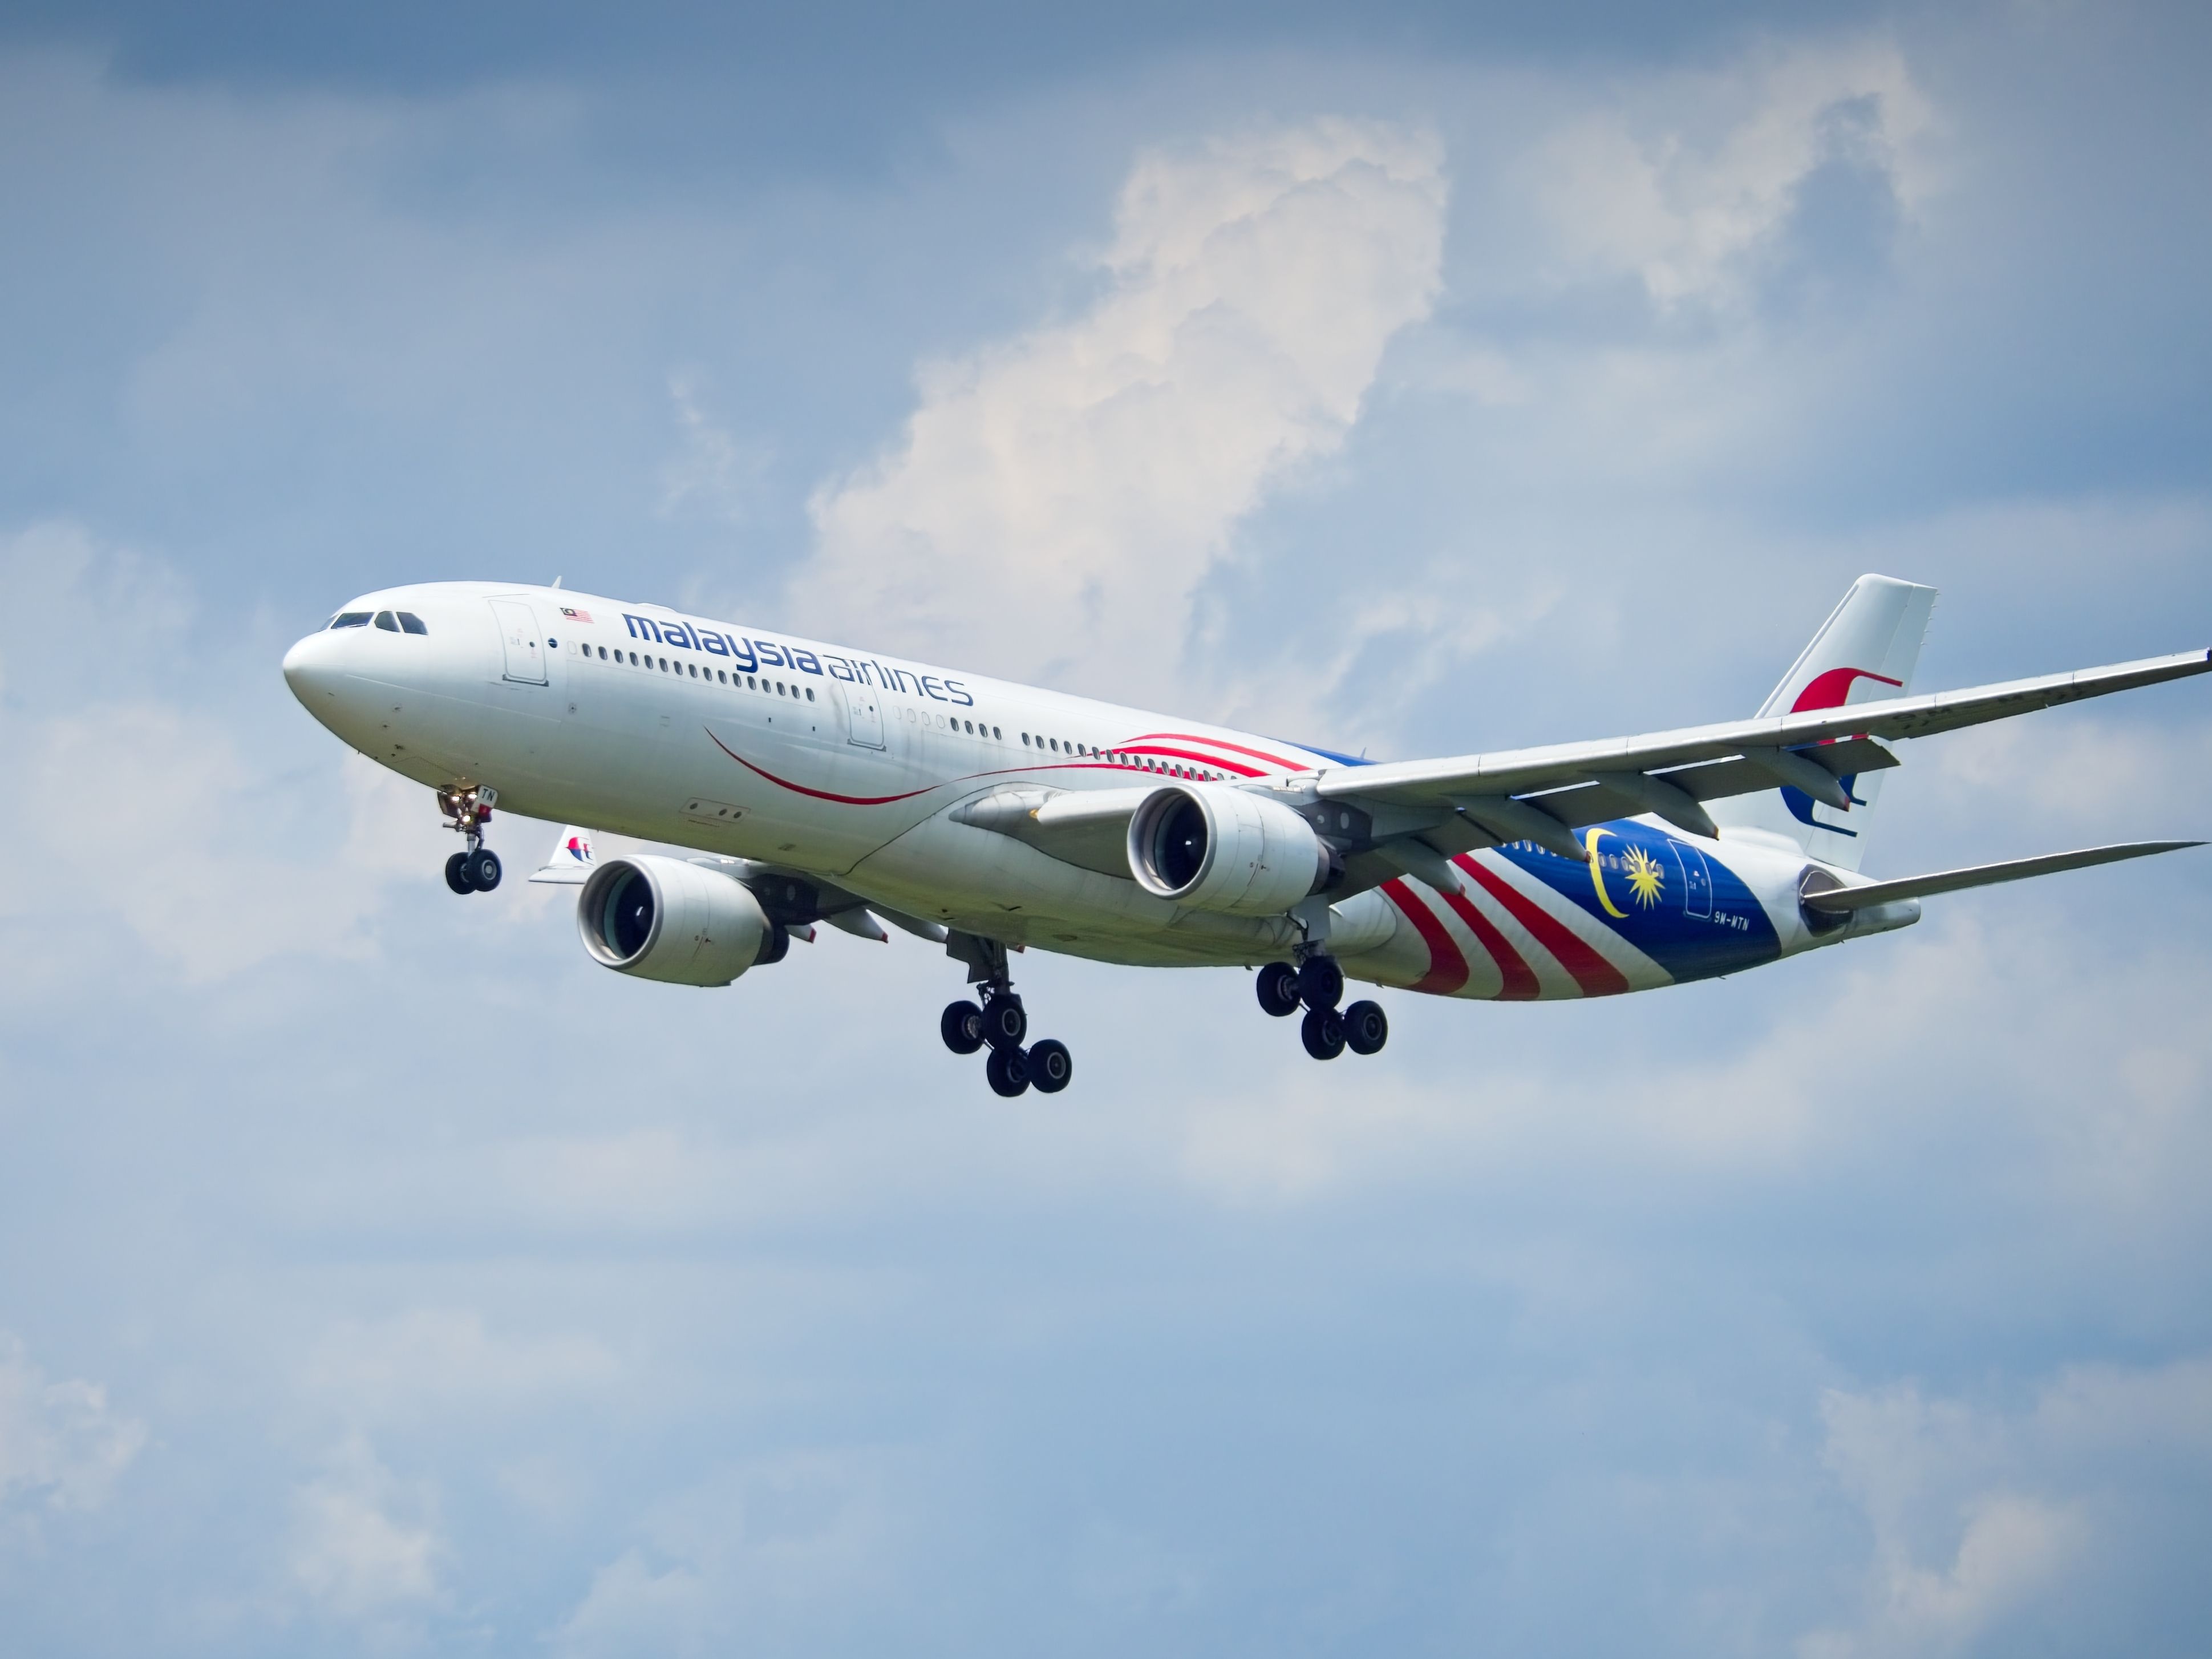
<point>1693,178</point>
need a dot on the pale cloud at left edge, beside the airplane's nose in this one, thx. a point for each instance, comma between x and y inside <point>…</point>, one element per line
<point>149,811</point>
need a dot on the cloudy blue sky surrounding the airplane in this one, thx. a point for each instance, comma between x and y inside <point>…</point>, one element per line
<point>379,1275</point>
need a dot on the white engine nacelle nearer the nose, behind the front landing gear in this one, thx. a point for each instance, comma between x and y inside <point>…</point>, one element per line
<point>671,921</point>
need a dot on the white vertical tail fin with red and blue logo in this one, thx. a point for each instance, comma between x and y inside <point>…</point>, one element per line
<point>1866,651</point>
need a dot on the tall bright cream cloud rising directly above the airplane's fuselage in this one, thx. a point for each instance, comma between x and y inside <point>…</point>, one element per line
<point>1056,499</point>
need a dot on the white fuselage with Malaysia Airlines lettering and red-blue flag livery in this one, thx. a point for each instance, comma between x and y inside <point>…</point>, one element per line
<point>842,764</point>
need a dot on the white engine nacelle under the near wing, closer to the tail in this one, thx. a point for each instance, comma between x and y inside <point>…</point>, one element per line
<point>1227,851</point>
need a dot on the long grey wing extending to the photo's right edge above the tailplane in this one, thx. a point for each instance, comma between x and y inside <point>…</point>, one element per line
<point>1536,795</point>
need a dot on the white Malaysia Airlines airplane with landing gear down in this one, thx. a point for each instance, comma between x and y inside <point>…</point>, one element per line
<point>811,784</point>
